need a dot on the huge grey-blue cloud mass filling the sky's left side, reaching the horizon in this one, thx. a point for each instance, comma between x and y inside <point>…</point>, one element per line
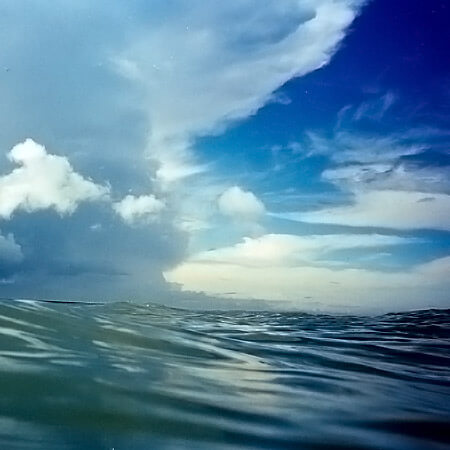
<point>128,107</point>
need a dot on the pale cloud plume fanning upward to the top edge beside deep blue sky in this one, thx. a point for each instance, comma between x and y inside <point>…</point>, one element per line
<point>206,67</point>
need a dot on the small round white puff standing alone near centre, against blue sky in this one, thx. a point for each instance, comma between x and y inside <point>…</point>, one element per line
<point>240,205</point>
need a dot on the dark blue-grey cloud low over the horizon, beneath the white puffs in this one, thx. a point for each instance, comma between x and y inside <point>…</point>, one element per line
<point>68,257</point>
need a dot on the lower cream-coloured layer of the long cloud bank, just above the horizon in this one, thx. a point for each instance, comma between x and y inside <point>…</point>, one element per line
<point>424,286</point>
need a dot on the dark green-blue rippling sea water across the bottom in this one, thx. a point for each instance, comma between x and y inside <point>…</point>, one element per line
<point>146,377</point>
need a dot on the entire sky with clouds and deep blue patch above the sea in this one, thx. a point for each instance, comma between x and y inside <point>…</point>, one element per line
<point>281,154</point>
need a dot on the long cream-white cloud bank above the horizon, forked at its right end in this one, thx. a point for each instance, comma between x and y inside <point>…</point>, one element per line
<point>288,268</point>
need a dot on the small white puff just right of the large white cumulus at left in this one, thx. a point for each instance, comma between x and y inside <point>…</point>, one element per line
<point>135,209</point>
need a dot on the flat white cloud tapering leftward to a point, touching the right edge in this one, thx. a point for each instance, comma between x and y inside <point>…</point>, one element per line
<point>391,209</point>
